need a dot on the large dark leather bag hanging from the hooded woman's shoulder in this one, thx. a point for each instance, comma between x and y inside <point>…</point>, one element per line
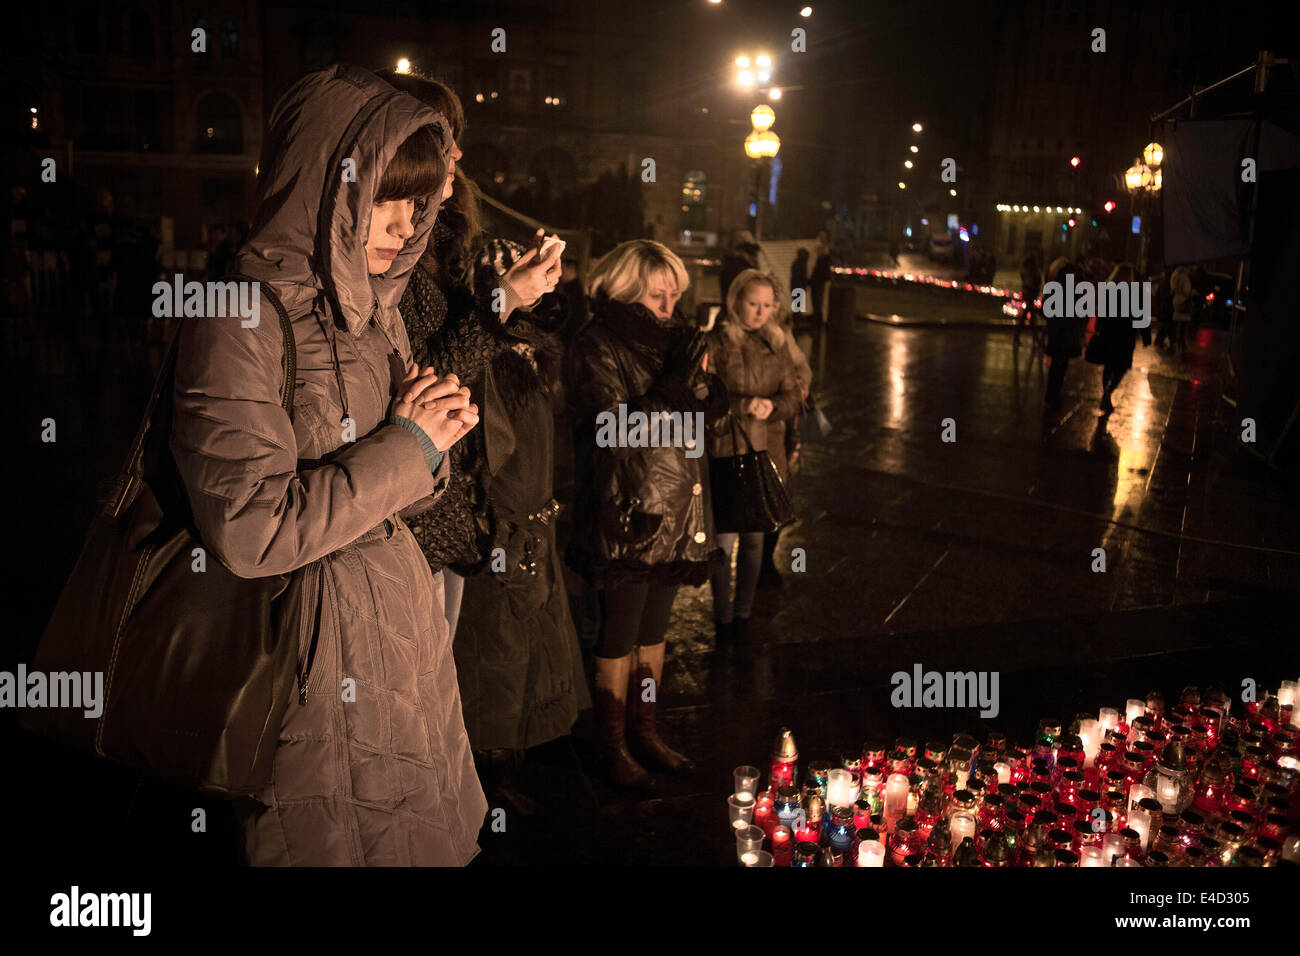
<point>198,665</point>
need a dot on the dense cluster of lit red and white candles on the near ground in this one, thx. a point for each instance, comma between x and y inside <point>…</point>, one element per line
<point>1195,785</point>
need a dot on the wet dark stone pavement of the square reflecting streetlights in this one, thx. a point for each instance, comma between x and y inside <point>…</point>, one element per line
<point>973,555</point>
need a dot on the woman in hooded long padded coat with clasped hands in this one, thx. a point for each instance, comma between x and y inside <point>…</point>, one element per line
<point>374,765</point>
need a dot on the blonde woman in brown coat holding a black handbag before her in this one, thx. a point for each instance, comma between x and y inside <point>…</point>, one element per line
<point>756,364</point>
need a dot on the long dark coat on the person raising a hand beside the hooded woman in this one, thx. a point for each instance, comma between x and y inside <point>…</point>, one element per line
<point>518,660</point>
